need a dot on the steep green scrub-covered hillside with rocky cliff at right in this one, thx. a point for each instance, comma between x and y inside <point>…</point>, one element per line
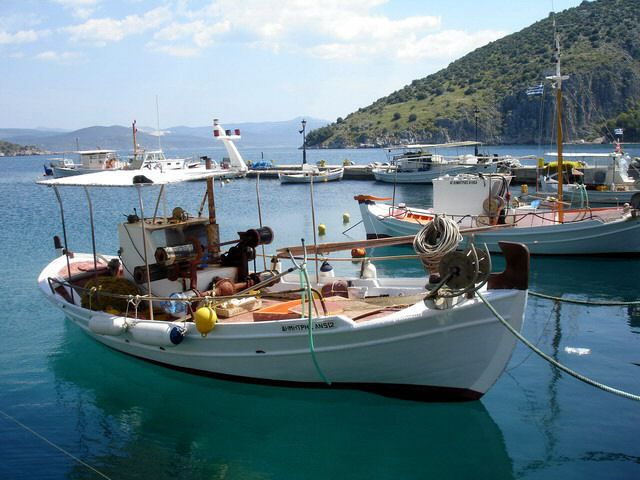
<point>600,43</point>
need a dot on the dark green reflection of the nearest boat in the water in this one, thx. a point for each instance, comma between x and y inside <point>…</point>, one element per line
<point>137,420</point>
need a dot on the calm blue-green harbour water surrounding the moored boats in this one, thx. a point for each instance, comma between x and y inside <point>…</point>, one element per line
<point>129,419</point>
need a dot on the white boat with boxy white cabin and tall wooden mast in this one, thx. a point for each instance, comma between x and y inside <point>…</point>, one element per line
<point>483,208</point>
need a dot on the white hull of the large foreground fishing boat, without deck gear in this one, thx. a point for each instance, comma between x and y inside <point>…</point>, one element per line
<point>417,352</point>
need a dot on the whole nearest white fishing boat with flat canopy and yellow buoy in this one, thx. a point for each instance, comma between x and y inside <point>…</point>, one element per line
<point>173,297</point>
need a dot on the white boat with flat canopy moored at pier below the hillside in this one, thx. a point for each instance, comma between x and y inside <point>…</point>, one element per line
<point>420,163</point>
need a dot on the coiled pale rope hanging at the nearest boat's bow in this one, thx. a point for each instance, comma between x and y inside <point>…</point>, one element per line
<point>435,240</point>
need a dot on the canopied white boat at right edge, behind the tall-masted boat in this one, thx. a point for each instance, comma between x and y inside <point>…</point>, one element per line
<point>610,182</point>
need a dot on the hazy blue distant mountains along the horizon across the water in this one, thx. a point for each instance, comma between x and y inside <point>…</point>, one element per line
<point>261,134</point>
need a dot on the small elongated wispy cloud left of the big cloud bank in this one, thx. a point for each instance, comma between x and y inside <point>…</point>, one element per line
<point>102,31</point>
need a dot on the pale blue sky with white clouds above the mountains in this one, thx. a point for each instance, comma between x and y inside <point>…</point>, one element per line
<point>75,63</point>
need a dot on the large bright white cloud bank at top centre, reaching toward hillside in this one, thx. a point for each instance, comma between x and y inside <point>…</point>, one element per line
<point>329,30</point>
